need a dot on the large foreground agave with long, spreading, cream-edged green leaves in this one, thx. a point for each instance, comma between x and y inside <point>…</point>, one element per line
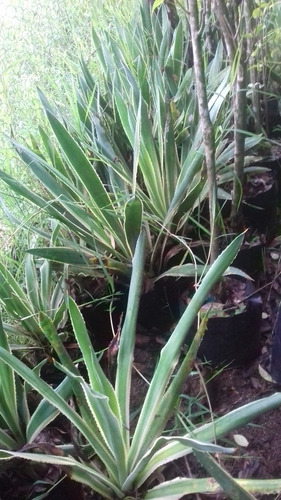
<point>112,458</point>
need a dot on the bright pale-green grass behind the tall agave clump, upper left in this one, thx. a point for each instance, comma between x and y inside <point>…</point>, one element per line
<point>40,46</point>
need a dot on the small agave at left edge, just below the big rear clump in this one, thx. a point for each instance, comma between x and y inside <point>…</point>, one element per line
<point>40,289</point>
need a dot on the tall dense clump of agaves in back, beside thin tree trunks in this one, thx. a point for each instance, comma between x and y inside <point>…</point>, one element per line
<point>134,146</point>
